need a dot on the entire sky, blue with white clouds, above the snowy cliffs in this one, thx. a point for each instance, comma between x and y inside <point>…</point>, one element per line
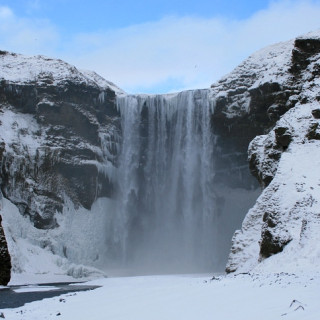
<point>153,46</point>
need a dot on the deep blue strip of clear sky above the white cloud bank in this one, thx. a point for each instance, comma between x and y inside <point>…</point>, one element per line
<point>89,16</point>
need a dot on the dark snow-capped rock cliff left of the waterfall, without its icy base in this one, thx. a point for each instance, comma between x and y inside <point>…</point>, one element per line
<point>71,117</point>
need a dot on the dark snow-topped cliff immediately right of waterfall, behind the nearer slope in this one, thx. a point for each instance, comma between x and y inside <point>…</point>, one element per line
<point>248,103</point>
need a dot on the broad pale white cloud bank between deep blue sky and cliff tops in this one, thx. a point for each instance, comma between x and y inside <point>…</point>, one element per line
<point>170,54</point>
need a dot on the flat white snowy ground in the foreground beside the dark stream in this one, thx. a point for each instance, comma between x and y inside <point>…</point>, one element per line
<point>245,296</point>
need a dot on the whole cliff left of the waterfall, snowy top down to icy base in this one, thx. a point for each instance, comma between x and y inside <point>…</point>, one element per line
<point>58,146</point>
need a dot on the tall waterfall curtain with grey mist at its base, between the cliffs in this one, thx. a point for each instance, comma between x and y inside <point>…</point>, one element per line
<point>170,217</point>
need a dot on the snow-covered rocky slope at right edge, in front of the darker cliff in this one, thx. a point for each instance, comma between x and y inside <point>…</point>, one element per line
<point>281,232</point>
